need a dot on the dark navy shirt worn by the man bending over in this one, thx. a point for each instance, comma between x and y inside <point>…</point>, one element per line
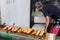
<point>51,11</point>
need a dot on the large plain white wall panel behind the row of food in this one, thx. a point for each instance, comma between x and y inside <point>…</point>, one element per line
<point>17,11</point>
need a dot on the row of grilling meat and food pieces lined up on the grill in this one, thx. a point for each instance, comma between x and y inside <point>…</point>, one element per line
<point>17,29</point>
